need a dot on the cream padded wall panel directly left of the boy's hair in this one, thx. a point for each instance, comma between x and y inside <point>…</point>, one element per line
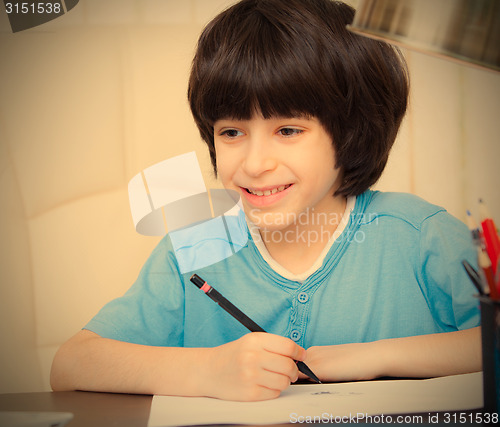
<point>158,121</point>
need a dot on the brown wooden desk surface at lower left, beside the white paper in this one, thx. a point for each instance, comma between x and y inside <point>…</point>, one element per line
<point>103,409</point>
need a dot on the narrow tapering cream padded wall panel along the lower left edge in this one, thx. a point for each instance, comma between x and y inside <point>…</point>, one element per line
<point>19,365</point>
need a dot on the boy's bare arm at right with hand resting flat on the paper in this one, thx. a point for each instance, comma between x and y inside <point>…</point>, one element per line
<point>421,356</point>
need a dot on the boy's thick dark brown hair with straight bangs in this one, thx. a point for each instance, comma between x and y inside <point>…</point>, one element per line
<point>287,58</point>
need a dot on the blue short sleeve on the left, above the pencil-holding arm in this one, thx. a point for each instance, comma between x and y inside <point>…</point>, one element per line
<point>151,312</point>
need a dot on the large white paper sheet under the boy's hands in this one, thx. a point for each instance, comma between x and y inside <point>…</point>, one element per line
<point>326,401</point>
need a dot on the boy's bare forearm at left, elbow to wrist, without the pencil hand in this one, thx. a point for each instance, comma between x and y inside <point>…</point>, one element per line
<point>89,362</point>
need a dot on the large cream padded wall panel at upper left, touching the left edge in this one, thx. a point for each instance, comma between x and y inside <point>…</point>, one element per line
<point>61,109</point>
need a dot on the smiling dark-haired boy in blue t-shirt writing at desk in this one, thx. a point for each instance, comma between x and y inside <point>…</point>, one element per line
<point>299,116</point>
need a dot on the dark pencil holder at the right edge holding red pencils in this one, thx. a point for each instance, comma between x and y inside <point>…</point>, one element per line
<point>490,335</point>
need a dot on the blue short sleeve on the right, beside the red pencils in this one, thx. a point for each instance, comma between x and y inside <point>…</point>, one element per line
<point>445,242</point>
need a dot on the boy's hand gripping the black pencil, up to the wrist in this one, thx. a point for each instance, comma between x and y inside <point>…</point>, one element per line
<point>258,366</point>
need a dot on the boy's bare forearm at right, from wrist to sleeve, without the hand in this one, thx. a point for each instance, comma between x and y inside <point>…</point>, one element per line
<point>431,355</point>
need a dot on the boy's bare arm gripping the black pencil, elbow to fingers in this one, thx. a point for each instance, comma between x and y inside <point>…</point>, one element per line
<point>257,366</point>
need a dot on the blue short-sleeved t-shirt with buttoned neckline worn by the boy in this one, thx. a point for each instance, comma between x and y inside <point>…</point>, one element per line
<point>395,271</point>
